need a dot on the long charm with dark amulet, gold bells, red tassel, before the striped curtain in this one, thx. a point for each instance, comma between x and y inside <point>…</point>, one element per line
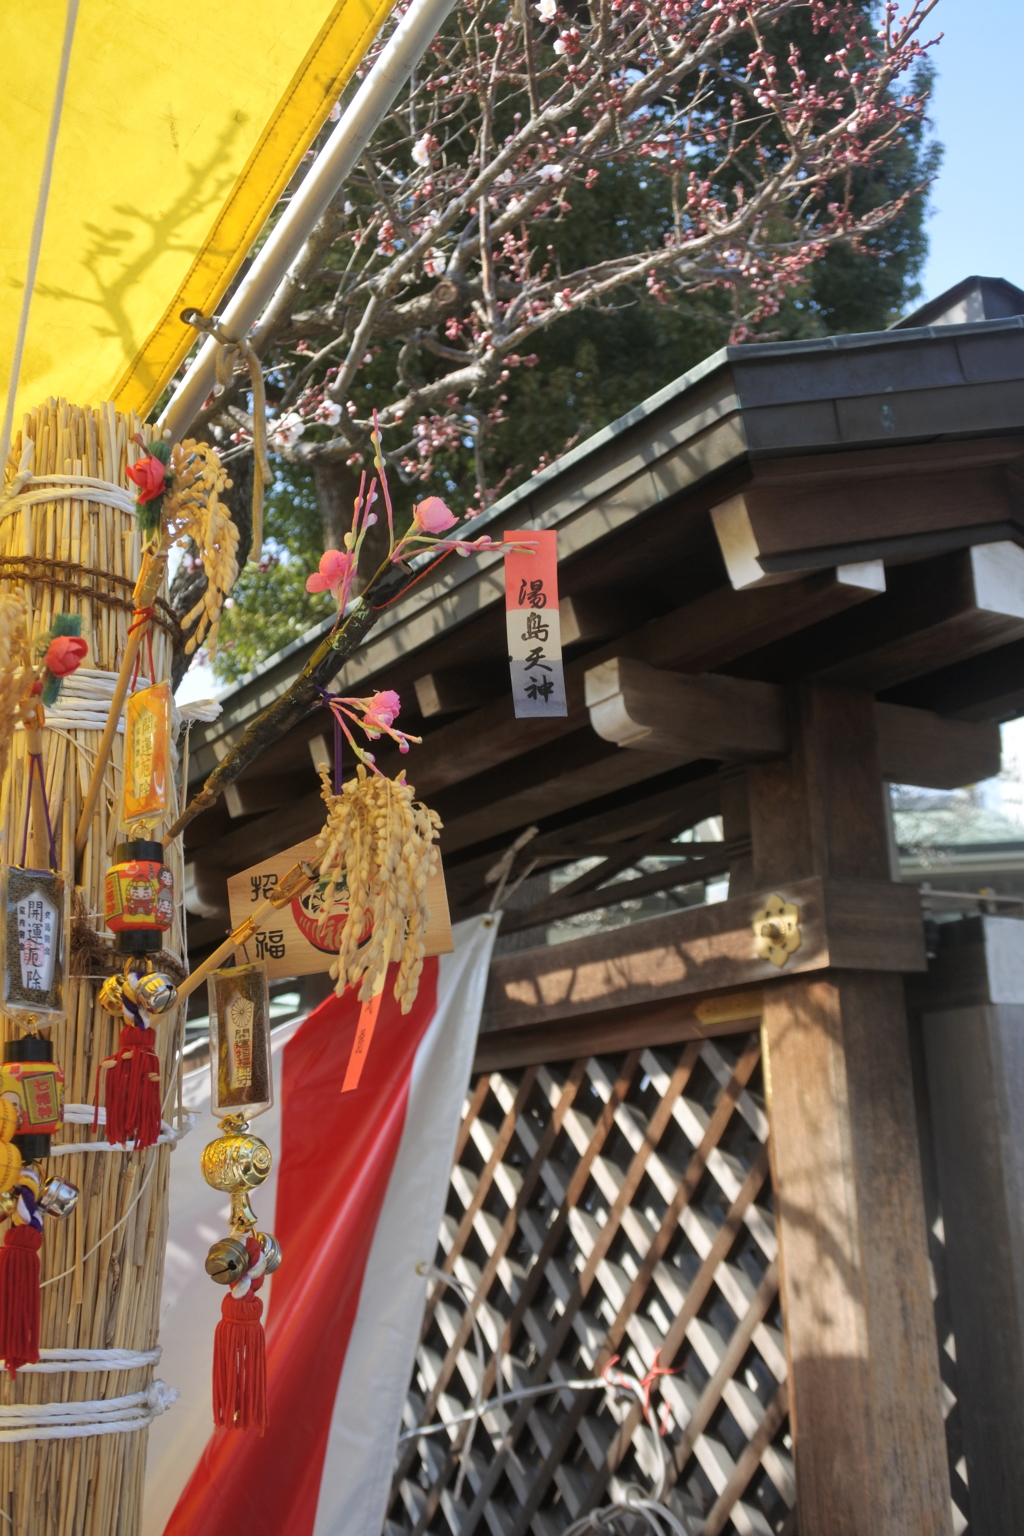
<point>237,1164</point>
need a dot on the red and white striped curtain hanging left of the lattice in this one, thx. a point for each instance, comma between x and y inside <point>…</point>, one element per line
<point>357,1196</point>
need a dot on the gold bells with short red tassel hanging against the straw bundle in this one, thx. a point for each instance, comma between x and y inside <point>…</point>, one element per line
<point>130,1081</point>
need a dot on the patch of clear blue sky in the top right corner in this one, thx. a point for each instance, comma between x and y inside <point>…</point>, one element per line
<point>977,223</point>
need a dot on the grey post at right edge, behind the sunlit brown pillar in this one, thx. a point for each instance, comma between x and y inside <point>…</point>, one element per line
<point>974,1051</point>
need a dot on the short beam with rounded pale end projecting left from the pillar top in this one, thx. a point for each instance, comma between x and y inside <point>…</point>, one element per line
<point>707,717</point>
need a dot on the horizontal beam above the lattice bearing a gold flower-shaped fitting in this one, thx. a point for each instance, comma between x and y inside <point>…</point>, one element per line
<point>707,948</point>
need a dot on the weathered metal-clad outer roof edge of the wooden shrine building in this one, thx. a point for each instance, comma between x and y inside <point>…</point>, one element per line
<point>744,406</point>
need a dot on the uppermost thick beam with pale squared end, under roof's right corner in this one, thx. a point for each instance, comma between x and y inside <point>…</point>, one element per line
<point>773,531</point>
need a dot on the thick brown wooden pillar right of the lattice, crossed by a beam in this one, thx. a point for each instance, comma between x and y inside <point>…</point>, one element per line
<point>865,1385</point>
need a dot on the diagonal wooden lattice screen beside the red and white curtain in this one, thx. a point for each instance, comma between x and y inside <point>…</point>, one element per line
<point>615,1207</point>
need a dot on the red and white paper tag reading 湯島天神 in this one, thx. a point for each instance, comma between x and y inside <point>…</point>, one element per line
<point>532,618</point>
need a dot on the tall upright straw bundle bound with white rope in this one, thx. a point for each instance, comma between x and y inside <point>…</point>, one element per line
<point>101,1294</point>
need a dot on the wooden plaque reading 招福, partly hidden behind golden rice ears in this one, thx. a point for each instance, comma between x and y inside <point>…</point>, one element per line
<point>291,941</point>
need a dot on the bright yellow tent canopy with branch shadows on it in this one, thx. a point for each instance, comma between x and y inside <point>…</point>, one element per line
<point>182,127</point>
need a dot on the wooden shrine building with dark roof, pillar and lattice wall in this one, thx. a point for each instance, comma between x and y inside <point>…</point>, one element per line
<point>765,1136</point>
